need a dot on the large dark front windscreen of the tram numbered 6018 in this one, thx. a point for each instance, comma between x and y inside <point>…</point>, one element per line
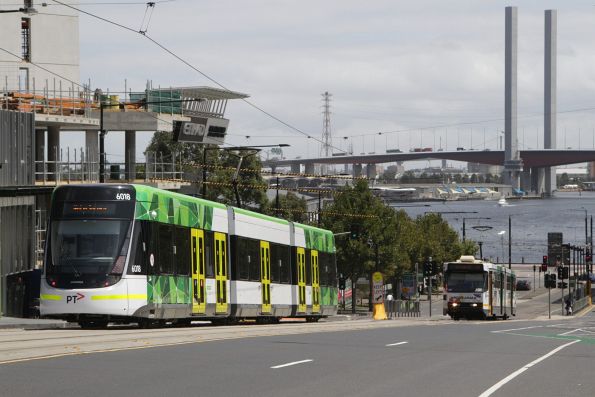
<point>87,247</point>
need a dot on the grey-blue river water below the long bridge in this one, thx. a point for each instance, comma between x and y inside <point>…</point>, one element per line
<point>531,221</point>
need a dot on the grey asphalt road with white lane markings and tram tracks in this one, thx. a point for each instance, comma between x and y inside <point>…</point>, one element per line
<point>351,358</point>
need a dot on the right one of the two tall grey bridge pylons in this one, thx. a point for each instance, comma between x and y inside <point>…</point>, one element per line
<point>550,91</point>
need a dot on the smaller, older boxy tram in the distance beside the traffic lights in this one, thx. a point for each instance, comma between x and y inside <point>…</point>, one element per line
<point>477,289</point>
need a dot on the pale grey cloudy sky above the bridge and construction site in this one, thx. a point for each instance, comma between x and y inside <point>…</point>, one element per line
<point>402,74</point>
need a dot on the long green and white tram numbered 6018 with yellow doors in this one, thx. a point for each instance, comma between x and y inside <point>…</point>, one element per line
<point>133,253</point>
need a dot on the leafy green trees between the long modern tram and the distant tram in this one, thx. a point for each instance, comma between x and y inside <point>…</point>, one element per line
<point>399,240</point>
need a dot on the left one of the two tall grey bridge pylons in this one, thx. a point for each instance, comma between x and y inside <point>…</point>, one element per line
<point>512,163</point>
